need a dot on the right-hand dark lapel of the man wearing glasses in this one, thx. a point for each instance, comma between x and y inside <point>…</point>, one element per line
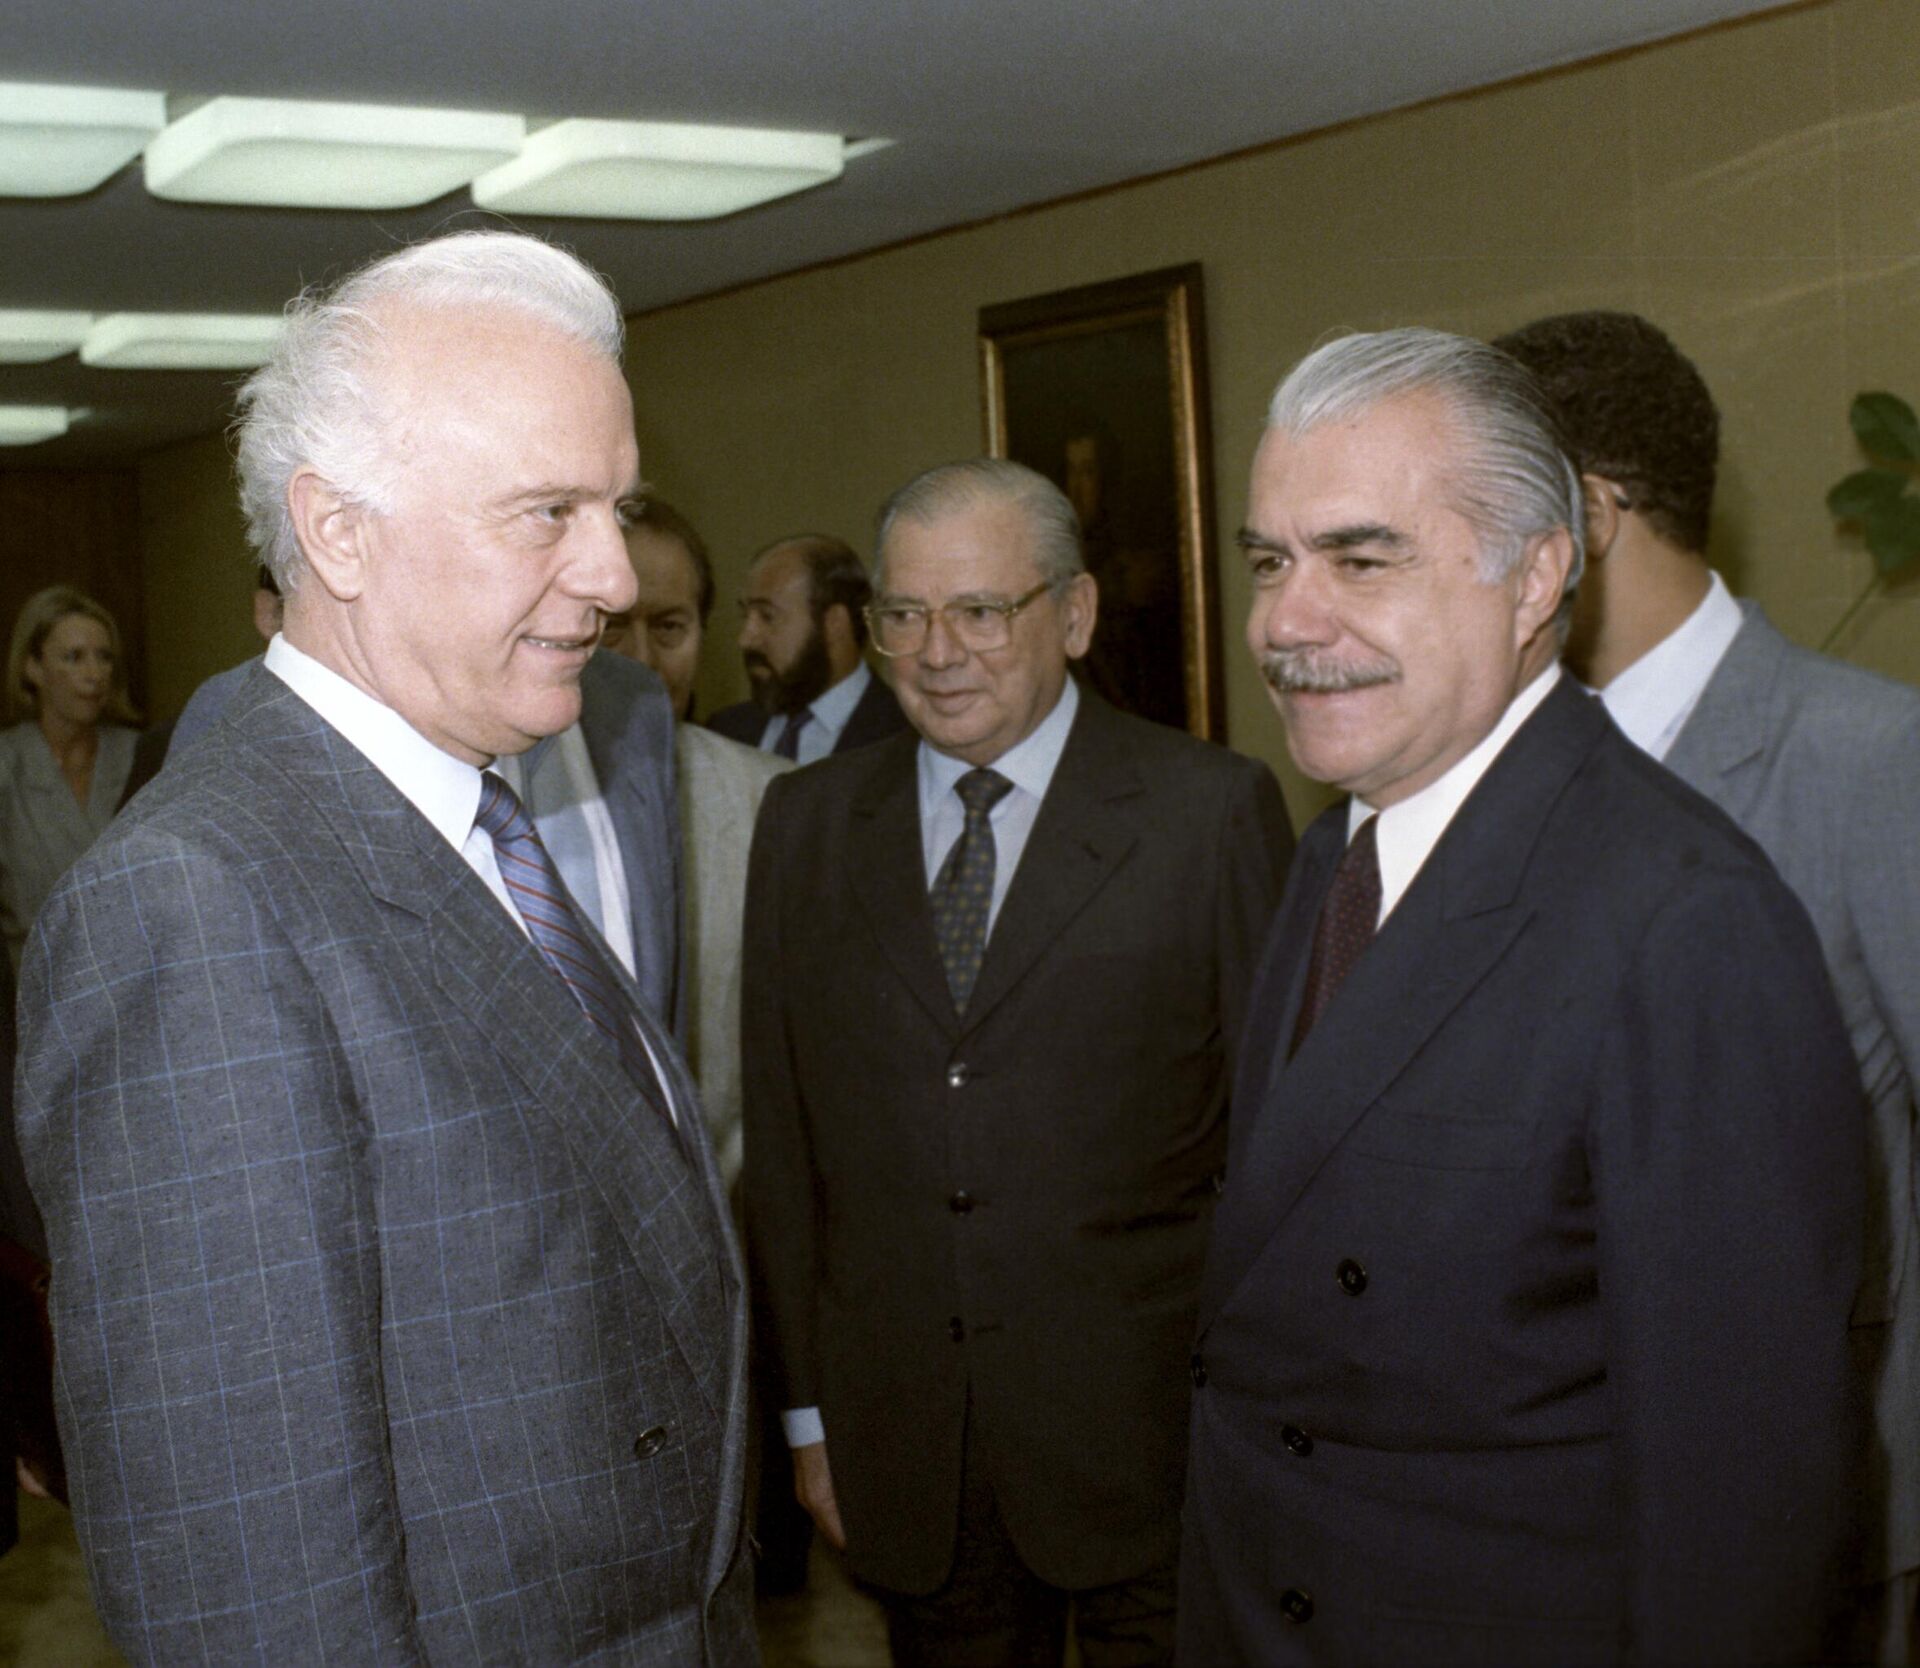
<point>1078,844</point>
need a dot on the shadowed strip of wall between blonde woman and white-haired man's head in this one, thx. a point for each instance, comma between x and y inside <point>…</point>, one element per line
<point>199,571</point>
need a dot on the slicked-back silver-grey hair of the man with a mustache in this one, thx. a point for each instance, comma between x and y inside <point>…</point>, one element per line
<point>1512,477</point>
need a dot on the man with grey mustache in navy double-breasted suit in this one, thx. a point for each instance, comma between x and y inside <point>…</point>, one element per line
<point>1524,1335</point>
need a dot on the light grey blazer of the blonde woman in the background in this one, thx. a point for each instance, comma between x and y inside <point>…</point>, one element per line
<point>43,826</point>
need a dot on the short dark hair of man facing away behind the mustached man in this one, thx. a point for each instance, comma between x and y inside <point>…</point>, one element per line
<point>1635,410</point>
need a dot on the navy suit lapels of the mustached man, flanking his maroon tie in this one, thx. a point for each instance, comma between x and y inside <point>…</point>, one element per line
<point>1454,924</point>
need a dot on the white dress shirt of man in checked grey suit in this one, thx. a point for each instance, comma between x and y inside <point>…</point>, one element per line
<point>439,786</point>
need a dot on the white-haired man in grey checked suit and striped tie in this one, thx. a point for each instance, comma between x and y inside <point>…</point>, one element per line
<point>396,1310</point>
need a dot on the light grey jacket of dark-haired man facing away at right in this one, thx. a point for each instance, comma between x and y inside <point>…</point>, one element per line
<point>1821,765</point>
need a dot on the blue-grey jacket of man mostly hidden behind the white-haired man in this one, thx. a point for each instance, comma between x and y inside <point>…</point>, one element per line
<point>629,728</point>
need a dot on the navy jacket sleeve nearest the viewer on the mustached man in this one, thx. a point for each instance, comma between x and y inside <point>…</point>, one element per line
<point>1727,1162</point>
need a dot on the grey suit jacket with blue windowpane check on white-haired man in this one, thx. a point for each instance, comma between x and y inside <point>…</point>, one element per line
<point>391,1325</point>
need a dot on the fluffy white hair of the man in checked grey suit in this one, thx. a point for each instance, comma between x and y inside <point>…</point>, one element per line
<point>314,404</point>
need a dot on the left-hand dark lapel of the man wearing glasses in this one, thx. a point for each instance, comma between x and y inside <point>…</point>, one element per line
<point>890,878</point>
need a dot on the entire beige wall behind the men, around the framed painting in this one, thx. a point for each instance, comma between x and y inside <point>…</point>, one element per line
<point>1752,189</point>
